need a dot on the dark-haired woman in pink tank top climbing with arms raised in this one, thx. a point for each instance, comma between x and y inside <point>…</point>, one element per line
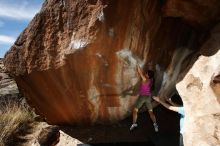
<point>144,97</point>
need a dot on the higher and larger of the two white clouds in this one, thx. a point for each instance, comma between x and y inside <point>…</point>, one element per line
<point>22,11</point>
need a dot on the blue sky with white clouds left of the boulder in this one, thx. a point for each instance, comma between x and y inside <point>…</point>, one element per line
<point>15,15</point>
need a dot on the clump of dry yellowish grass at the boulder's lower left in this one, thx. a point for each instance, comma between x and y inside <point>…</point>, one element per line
<point>16,121</point>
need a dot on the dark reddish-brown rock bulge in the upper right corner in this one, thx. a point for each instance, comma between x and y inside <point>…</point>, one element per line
<point>196,12</point>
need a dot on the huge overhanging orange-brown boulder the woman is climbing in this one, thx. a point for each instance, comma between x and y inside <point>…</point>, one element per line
<point>76,58</point>
